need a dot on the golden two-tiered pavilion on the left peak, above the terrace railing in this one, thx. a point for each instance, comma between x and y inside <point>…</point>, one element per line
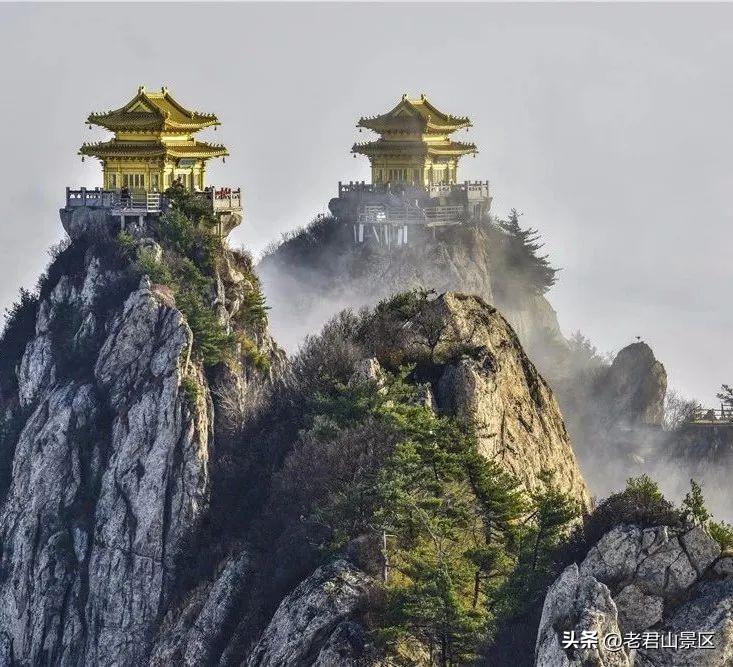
<point>154,144</point>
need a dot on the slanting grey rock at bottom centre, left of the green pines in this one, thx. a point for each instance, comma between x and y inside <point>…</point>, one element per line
<point>305,620</point>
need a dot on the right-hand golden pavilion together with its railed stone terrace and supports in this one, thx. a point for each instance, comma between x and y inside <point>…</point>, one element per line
<point>415,184</point>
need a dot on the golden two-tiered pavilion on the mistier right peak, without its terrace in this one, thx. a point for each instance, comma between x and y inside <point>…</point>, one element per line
<point>415,146</point>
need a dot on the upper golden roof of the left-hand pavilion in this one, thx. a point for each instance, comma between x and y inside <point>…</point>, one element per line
<point>153,111</point>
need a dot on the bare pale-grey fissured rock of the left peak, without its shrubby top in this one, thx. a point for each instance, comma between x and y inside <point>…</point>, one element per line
<point>109,477</point>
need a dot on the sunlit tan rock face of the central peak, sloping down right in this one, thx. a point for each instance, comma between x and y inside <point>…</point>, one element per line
<point>492,383</point>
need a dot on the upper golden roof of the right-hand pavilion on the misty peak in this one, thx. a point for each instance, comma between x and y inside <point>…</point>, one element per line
<point>414,116</point>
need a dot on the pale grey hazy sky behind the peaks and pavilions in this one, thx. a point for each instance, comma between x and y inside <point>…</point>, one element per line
<point>609,126</point>
